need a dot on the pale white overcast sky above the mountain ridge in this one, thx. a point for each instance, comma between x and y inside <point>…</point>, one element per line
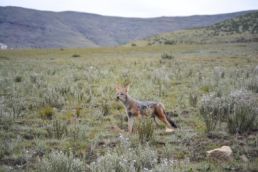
<point>138,8</point>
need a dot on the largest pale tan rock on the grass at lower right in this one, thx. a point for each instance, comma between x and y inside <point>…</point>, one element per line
<point>220,154</point>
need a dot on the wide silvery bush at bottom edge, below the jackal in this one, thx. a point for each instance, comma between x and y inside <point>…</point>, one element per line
<point>138,159</point>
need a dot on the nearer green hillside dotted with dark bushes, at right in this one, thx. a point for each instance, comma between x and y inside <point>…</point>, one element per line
<point>240,29</point>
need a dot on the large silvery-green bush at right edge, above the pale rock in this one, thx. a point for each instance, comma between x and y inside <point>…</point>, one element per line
<point>238,110</point>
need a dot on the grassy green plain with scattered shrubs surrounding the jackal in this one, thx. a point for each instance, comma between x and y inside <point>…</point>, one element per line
<point>57,107</point>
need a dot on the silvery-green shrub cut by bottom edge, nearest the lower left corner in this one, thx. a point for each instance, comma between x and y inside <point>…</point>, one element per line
<point>59,161</point>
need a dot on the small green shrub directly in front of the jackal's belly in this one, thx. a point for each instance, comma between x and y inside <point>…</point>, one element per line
<point>145,130</point>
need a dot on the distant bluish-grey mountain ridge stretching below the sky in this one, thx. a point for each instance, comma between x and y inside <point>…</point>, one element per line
<point>26,28</point>
